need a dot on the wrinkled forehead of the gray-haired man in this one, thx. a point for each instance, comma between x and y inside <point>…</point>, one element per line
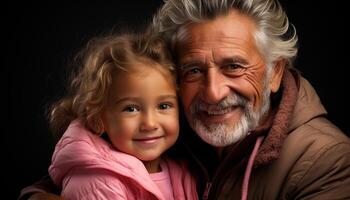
<point>224,32</point>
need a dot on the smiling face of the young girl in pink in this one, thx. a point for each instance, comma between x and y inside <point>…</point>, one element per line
<point>141,115</point>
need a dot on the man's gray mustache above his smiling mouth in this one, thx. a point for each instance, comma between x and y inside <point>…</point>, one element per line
<point>233,99</point>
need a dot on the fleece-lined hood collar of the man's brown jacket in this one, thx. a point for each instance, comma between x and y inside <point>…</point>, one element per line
<point>298,104</point>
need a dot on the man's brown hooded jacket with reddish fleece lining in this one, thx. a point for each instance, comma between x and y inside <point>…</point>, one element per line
<point>303,156</point>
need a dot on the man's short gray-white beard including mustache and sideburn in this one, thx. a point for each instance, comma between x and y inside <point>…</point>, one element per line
<point>222,134</point>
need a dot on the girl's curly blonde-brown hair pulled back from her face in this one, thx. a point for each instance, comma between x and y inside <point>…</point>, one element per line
<point>90,84</point>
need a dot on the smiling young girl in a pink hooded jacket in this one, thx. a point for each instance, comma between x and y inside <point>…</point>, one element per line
<point>122,115</point>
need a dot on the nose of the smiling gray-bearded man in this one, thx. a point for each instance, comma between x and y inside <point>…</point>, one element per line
<point>215,86</point>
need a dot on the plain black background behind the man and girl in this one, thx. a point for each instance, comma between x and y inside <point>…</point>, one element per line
<point>41,39</point>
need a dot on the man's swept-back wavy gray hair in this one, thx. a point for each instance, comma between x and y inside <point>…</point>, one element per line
<point>275,37</point>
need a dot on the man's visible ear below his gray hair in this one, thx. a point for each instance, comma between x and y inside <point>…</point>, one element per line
<point>277,74</point>
